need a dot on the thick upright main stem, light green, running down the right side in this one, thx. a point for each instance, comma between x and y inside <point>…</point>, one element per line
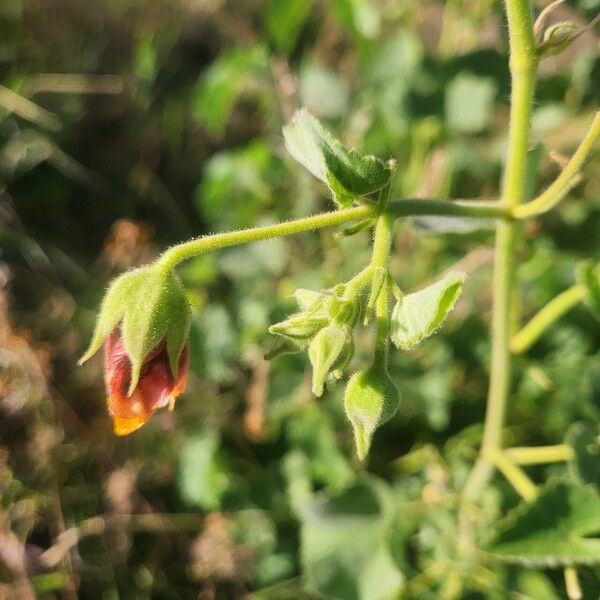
<point>523,64</point>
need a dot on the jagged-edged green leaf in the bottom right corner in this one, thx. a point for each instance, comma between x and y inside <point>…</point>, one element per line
<point>551,530</point>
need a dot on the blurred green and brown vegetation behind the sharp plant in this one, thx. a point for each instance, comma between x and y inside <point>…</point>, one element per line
<point>126,126</point>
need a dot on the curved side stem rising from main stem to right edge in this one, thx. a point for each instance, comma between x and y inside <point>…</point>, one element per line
<point>567,179</point>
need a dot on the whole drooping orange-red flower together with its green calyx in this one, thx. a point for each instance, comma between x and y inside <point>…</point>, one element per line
<point>143,323</point>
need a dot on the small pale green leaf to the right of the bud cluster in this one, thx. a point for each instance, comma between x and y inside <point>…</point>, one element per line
<point>416,316</point>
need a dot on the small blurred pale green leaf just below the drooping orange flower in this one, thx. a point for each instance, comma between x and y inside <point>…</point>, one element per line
<point>201,480</point>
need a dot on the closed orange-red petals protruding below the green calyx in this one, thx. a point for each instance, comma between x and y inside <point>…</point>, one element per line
<point>156,388</point>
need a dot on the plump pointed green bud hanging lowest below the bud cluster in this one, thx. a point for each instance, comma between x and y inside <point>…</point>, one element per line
<point>371,398</point>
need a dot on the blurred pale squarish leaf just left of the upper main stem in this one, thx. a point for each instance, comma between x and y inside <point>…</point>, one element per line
<point>469,102</point>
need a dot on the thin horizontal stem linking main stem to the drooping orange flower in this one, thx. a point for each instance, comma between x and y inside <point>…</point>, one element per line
<point>395,208</point>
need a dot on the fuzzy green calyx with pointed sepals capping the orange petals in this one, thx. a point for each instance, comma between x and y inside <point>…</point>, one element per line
<point>151,306</point>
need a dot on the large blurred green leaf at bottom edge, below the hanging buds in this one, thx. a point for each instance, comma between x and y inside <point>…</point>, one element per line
<point>343,548</point>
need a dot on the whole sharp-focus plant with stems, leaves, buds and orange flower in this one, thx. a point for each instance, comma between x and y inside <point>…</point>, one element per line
<point>144,319</point>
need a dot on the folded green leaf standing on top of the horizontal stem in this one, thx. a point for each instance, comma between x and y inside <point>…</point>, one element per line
<point>347,173</point>
